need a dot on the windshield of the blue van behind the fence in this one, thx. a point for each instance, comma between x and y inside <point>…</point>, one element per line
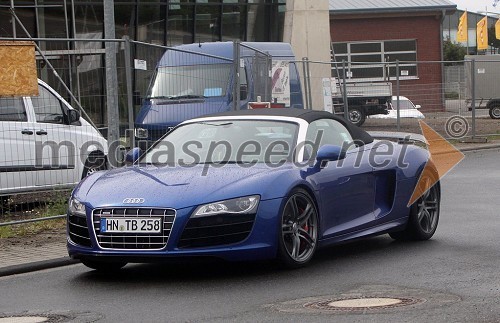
<point>198,81</point>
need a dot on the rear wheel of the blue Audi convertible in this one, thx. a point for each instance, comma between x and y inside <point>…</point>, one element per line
<point>424,217</point>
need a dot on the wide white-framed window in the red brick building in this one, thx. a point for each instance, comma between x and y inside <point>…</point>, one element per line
<point>373,61</point>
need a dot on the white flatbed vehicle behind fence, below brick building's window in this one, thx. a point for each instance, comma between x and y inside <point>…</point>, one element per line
<point>363,99</point>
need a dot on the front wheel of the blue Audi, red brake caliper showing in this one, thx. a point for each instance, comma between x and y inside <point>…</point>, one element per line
<point>298,231</point>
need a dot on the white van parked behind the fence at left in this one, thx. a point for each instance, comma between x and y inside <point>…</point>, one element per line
<point>45,144</point>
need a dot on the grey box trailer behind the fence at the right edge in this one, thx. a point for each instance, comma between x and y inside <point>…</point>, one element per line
<point>485,87</point>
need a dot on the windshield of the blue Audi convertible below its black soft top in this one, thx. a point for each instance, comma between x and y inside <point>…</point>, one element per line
<point>225,141</point>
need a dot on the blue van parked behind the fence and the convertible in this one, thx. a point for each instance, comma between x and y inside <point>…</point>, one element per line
<point>198,79</point>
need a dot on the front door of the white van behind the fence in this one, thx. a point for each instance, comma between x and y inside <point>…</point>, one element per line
<point>54,141</point>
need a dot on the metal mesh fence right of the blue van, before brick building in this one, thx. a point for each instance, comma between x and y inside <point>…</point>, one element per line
<point>440,90</point>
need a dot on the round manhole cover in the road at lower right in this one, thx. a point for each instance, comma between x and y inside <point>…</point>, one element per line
<point>368,303</point>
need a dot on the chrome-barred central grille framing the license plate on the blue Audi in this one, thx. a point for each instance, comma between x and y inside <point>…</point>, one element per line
<point>133,241</point>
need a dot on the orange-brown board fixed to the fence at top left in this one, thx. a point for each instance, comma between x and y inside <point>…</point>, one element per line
<point>17,69</point>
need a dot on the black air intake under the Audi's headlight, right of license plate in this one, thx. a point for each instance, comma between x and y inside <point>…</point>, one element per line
<point>216,230</point>
